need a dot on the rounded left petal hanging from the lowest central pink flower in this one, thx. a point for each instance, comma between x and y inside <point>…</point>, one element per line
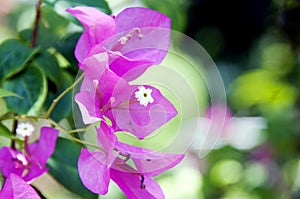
<point>93,171</point>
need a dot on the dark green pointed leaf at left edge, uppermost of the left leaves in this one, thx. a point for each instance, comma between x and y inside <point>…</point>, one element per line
<point>13,57</point>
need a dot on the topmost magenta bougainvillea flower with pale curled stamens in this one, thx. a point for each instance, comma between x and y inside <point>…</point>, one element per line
<point>130,38</point>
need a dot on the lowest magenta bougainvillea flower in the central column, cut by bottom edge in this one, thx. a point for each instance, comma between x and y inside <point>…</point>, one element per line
<point>96,167</point>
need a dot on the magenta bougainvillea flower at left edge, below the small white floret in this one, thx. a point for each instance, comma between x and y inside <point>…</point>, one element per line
<point>31,163</point>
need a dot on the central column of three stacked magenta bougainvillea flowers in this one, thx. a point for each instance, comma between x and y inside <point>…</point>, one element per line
<point>112,51</point>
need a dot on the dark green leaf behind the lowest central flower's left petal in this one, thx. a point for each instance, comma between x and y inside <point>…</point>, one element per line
<point>63,167</point>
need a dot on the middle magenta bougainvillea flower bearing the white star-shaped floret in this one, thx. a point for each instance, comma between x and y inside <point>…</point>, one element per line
<point>133,108</point>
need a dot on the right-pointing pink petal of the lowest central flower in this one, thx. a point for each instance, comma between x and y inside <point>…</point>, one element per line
<point>150,162</point>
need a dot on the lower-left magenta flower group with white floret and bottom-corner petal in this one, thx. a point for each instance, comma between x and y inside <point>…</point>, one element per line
<point>21,167</point>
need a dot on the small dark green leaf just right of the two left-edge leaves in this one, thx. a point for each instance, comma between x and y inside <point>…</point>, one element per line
<point>49,65</point>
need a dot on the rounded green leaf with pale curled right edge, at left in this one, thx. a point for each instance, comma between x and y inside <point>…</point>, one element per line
<point>31,85</point>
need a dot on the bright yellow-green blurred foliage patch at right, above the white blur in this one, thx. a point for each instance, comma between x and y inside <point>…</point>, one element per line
<point>264,89</point>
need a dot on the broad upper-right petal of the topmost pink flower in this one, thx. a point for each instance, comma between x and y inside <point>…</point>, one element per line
<point>155,29</point>
